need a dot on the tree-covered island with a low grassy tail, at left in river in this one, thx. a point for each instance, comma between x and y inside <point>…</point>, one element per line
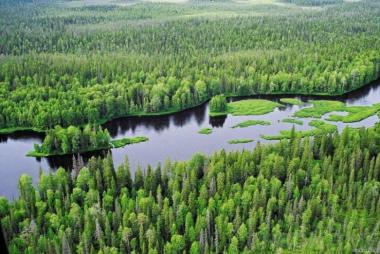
<point>71,140</point>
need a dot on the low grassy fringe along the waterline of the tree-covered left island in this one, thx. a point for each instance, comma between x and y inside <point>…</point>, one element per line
<point>116,143</point>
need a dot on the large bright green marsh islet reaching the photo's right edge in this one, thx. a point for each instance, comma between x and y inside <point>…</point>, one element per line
<point>355,113</point>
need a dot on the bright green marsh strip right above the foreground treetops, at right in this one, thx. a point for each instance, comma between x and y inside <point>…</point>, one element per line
<point>320,127</point>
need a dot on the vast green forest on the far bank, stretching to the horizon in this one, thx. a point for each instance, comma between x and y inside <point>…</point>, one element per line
<point>63,64</point>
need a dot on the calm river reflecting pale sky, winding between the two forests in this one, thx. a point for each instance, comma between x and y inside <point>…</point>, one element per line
<point>174,136</point>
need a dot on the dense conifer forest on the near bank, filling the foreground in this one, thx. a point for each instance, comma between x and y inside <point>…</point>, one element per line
<point>320,195</point>
